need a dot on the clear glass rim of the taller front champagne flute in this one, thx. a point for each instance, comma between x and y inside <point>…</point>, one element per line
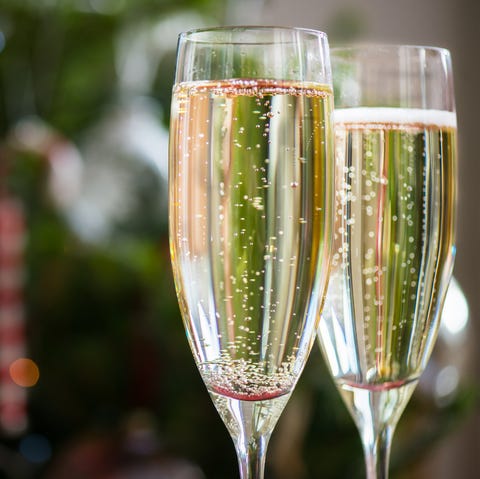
<point>187,35</point>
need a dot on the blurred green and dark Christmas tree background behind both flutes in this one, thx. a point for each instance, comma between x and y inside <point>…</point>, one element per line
<point>96,378</point>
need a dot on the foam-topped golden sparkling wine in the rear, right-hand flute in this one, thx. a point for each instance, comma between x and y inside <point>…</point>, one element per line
<point>393,249</point>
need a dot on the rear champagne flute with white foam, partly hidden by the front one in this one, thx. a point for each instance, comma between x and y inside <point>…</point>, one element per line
<point>395,154</point>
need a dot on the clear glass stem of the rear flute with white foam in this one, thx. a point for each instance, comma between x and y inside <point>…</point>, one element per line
<point>376,445</point>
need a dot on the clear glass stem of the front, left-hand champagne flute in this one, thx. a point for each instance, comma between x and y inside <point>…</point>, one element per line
<point>251,453</point>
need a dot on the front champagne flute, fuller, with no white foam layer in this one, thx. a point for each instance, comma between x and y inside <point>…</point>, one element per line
<point>251,197</point>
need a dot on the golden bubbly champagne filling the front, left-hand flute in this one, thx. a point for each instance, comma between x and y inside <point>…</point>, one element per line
<point>251,190</point>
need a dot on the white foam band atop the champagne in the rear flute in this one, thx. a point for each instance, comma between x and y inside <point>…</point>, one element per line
<point>396,116</point>
